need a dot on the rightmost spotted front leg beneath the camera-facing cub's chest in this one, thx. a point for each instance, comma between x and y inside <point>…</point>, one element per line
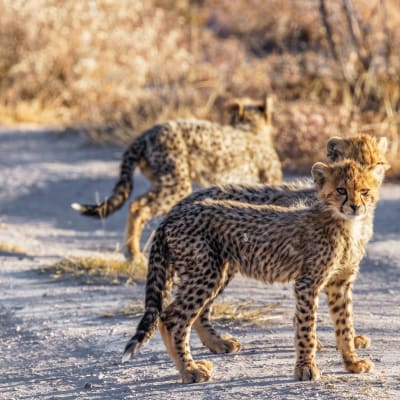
<point>341,310</point>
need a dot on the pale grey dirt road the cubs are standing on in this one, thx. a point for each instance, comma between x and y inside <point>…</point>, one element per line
<point>55,342</point>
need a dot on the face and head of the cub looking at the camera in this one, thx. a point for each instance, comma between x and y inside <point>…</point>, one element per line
<point>349,188</point>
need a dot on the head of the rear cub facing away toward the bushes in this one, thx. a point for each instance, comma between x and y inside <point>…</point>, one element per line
<point>246,111</point>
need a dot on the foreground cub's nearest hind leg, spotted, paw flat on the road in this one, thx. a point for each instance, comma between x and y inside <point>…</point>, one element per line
<point>176,321</point>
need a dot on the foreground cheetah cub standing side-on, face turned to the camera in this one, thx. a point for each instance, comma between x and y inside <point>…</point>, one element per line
<point>318,247</point>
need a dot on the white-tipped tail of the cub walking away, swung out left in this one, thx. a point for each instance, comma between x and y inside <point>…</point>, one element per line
<point>122,189</point>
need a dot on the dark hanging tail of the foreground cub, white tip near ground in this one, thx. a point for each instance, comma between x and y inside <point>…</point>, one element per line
<point>159,283</point>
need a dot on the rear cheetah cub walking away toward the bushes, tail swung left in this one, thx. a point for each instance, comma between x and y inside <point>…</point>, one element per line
<point>175,154</point>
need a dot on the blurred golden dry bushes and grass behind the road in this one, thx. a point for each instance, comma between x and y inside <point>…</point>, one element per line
<point>113,68</point>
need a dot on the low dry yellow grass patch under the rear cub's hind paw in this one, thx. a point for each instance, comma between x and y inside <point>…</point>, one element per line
<point>91,268</point>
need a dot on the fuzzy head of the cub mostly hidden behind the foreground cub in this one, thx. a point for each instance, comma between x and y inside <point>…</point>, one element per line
<point>365,149</point>
